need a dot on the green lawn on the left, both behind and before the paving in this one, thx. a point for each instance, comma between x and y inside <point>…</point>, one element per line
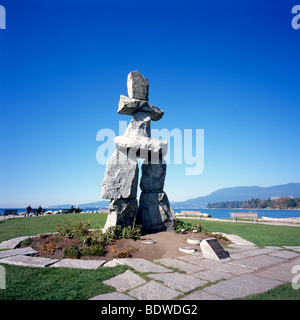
<point>27,283</point>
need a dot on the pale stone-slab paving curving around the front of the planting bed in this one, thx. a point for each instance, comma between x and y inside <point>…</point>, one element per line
<point>186,277</point>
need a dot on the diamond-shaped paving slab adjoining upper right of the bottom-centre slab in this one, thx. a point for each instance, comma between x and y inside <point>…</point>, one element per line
<point>179,281</point>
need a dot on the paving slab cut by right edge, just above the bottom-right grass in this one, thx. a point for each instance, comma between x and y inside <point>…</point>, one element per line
<point>282,272</point>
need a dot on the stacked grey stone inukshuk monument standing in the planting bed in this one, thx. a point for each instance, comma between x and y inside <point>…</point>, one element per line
<point>121,176</point>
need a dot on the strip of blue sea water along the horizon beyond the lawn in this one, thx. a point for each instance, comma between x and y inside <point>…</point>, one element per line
<point>219,213</point>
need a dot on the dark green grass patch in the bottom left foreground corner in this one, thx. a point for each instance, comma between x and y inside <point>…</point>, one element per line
<point>27,283</point>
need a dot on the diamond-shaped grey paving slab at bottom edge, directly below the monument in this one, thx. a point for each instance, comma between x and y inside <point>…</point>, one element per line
<point>153,290</point>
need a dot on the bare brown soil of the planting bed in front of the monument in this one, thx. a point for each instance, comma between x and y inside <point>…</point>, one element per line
<point>166,246</point>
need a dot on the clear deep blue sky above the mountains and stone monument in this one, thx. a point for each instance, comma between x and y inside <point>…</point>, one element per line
<point>228,67</point>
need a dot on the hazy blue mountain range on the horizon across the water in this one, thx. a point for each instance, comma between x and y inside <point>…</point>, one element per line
<point>225,194</point>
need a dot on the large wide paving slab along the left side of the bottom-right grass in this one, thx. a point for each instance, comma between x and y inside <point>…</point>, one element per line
<point>242,286</point>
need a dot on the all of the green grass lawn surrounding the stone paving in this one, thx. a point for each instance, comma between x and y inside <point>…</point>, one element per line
<point>66,283</point>
